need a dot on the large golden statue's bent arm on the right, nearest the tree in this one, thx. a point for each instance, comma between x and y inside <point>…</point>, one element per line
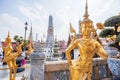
<point>101,51</point>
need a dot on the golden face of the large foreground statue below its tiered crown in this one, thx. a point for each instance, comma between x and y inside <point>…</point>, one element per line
<point>86,28</point>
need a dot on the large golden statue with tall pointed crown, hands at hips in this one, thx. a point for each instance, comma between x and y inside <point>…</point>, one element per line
<point>88,45</point>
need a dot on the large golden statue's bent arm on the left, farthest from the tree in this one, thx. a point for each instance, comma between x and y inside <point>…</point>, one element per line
<point>68,50</point>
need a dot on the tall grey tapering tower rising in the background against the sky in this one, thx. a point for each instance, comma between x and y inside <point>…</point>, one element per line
<point>50,34</point>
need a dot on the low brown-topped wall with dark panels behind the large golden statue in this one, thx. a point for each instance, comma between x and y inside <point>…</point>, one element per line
<point>58,70</point>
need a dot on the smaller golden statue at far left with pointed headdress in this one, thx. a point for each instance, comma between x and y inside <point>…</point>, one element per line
<point>10,56</point>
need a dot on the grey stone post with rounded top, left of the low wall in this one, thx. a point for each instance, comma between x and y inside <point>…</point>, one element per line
<point>37,66</point>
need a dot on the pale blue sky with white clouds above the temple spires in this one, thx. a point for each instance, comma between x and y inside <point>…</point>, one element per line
<point>14,13</point>
